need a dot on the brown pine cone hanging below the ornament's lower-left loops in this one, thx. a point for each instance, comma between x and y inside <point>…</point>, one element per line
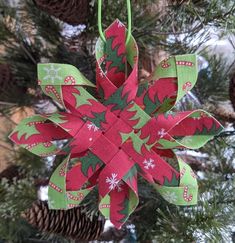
<point>73,223</point>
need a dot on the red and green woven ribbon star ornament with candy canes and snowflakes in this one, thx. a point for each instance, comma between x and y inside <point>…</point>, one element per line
<point>129,131</point>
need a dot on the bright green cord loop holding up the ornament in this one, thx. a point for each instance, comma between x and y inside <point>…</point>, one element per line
<point>100,20</point>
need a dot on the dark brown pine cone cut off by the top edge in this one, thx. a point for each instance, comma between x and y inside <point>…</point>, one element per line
<point>73,12</point>
